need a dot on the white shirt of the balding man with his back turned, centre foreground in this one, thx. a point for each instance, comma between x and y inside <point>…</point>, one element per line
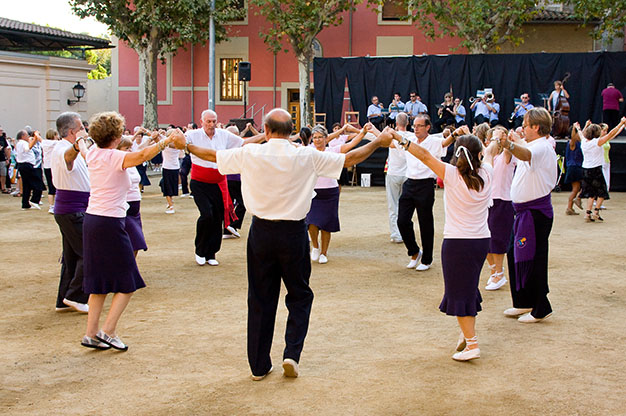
<point>277,178</point>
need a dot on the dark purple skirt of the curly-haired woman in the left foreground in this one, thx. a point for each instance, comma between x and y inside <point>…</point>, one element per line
<point>109,264</point>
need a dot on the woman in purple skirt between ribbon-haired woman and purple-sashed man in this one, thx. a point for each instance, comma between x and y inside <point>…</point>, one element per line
<point>501,213</point>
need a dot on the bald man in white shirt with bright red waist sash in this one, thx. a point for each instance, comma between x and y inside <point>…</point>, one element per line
<point>210,188</point>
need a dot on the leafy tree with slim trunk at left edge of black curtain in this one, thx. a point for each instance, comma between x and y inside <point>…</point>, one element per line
<point>298,22</point>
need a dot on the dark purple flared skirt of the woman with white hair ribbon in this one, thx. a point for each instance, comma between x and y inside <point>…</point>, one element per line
<point>462,261</point>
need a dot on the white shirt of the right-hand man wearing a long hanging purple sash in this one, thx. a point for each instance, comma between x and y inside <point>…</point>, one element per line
<point>535,179</point>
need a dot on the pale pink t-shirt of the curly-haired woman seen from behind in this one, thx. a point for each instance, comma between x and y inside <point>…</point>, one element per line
<point>109,182</point>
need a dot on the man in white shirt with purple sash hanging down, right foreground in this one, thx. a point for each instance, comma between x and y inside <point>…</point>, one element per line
<point>534,179</point>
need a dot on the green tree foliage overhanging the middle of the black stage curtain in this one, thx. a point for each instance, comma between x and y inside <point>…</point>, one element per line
<point>481,25</point>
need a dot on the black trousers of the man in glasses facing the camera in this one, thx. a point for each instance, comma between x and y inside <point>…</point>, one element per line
<point>417,194</point>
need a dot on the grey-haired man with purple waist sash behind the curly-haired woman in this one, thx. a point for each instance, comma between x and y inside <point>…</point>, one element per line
<point>71,180</point>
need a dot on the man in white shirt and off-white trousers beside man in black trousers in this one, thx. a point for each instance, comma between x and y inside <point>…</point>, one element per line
<point>395,177</point>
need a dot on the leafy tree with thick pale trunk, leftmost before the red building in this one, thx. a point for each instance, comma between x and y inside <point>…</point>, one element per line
<point>156,27</point>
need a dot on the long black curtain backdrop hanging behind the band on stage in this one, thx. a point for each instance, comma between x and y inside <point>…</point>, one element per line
<point>432,76</point>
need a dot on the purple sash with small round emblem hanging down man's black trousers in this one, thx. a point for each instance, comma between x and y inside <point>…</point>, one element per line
<point>525,244</point>
